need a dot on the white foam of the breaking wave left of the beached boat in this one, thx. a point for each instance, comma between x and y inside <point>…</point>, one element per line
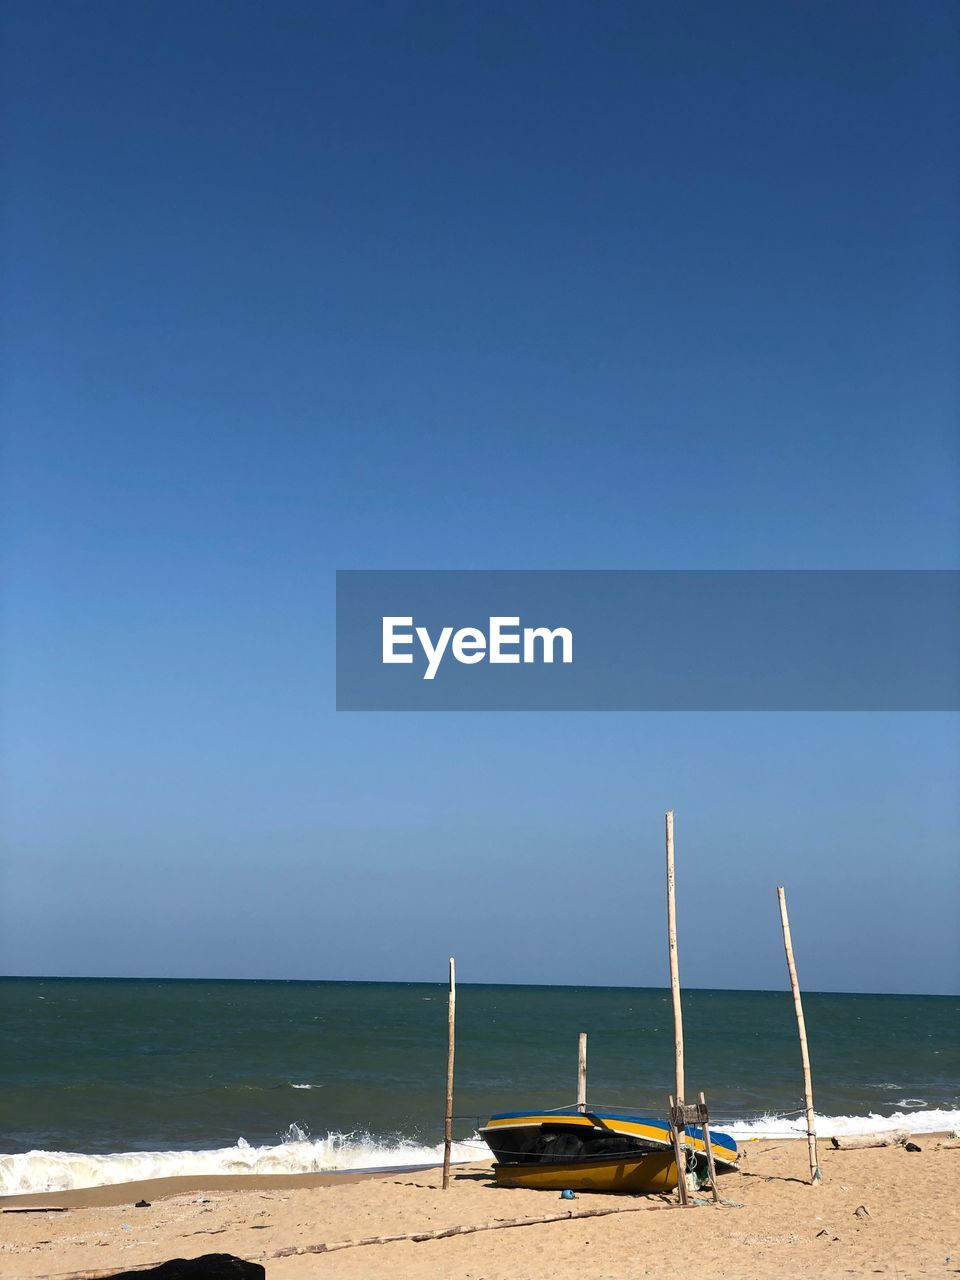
<point>298,1154</point>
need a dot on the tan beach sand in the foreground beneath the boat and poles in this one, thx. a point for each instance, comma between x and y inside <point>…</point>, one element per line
<point>784,1227</point>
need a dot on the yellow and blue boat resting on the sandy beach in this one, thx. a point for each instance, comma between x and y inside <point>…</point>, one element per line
<point>596,1150</point>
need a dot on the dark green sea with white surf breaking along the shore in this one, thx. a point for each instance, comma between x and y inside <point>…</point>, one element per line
<point>106,1081</point>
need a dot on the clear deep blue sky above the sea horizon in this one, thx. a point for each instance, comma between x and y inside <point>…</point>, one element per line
<point>299,287</point>
